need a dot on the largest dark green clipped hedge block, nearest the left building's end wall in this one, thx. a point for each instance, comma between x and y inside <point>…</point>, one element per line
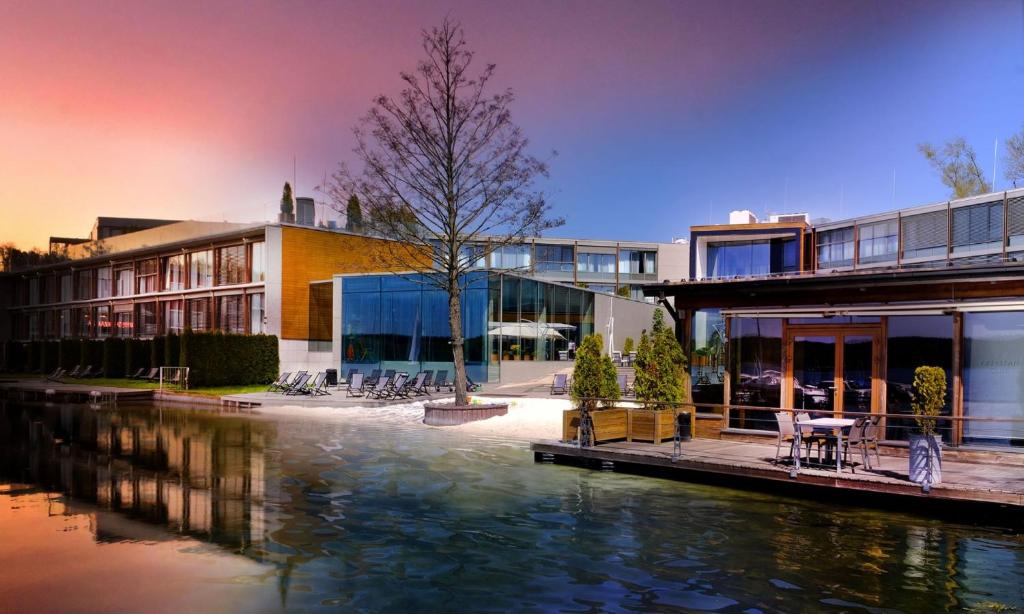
<point>225,360</point>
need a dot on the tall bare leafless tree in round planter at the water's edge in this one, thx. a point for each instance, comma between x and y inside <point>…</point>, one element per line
<point>446,173</point>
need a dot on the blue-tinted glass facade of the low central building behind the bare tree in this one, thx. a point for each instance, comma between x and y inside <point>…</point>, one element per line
<point>397,323</point>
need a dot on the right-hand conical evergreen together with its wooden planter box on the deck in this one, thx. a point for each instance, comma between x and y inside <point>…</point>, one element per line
<point>660,384</point>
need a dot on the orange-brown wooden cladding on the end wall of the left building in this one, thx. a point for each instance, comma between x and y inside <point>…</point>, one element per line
<point>309,255</point>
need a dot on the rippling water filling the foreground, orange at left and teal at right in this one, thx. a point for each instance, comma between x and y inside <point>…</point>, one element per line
<point>168,509</point>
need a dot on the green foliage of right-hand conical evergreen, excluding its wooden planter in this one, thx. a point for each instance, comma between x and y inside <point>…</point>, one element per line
<point>661,367</point>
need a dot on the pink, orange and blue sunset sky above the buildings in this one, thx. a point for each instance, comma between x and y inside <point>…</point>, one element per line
<point>664,114</point>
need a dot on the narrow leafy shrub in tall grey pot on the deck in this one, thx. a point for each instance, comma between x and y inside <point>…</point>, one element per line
<point>926,447</point>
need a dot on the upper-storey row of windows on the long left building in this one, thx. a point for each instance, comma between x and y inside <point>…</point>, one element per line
<point>205,269</point>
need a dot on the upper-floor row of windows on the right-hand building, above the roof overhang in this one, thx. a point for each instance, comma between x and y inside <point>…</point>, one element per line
<point>976,229</point>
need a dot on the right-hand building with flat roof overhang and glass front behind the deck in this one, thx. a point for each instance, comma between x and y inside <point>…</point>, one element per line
<point>837,317</point>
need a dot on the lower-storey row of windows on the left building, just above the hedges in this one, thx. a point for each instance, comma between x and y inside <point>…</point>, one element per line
<point>236,314</point>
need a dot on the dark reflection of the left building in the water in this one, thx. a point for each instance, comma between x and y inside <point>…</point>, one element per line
<point>196,473</point>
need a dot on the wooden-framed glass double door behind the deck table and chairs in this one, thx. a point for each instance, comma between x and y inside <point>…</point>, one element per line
<point>834,369</point>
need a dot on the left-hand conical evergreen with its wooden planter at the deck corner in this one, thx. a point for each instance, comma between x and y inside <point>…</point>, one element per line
<point>594,389</point>
